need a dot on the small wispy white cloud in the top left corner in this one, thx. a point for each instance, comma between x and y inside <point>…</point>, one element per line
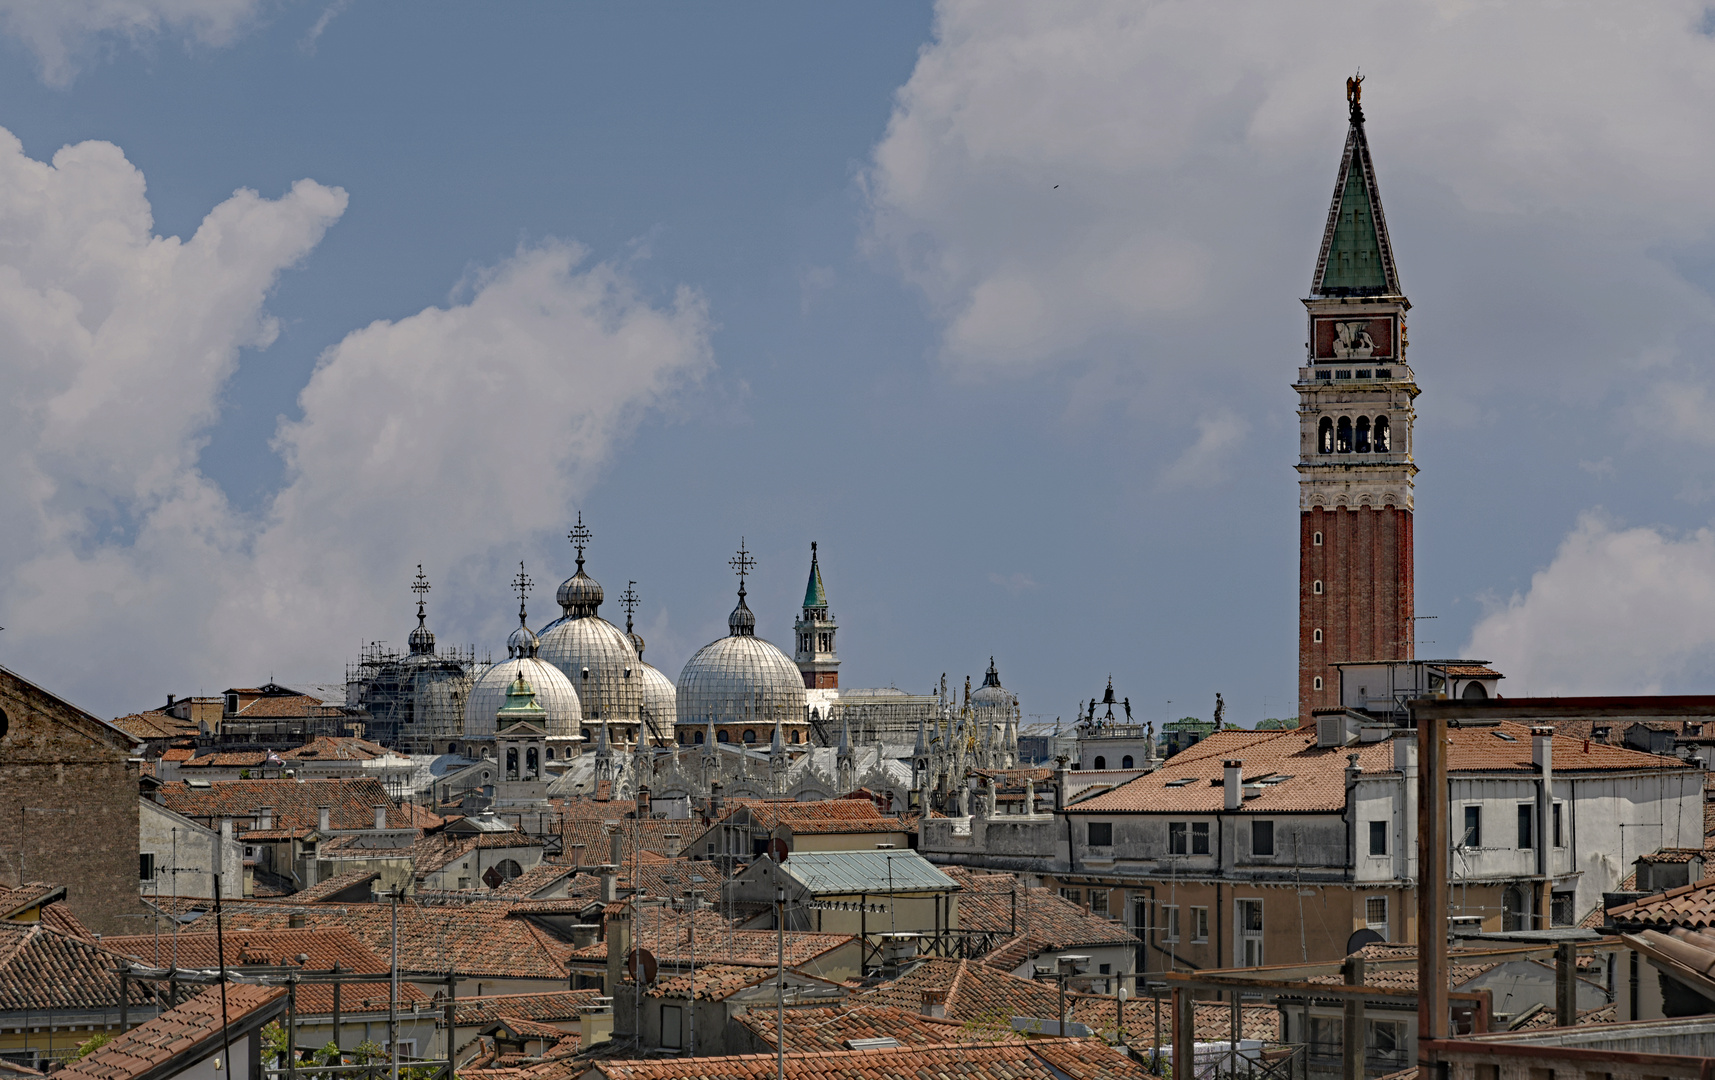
<point>61,33</point>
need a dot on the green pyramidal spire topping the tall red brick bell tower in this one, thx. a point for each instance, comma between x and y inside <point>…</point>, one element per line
<point>1356,258</point>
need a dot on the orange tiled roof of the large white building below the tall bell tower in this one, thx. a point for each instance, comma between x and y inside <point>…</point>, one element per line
<point>1316,777</point>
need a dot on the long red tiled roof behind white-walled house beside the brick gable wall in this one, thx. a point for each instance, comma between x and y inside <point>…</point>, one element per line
<point>294,801</point>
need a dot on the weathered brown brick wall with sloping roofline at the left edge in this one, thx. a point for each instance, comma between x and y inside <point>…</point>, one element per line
<point>54,757</point>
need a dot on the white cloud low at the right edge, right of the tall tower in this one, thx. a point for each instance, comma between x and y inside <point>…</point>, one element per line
<point>1616,611</point>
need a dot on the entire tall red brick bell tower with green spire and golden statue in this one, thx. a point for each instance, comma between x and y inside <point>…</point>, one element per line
<point>1356,412</point>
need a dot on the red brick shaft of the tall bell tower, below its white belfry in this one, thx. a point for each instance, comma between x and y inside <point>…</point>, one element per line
<point>1366,606</point>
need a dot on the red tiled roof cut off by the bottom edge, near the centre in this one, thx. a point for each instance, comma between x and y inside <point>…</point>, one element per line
<point>1013,1060</point>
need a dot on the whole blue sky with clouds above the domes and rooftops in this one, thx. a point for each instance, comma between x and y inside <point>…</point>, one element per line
<point>803,273</point>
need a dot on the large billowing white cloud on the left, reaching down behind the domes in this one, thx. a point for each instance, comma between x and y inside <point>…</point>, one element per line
<point>457,436</point>
